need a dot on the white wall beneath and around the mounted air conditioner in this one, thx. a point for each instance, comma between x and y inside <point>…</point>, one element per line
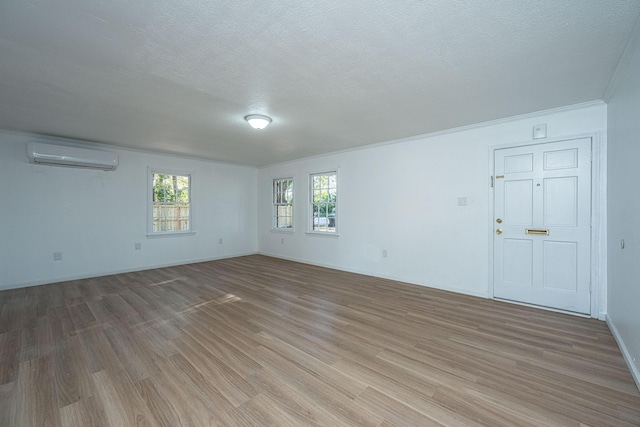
<point>94,217</point>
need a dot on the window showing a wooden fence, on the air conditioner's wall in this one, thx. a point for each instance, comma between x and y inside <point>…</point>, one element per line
<point>171,203</point>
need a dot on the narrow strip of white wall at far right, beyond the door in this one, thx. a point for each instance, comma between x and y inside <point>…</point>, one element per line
<point>624,213</point>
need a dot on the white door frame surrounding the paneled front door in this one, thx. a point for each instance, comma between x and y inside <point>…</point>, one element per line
<point>598,273</point>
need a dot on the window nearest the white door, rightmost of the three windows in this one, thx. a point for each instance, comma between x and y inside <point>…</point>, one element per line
<point>324,196</point>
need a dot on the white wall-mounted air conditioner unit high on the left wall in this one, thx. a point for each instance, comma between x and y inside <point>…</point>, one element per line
<point>60,155</point>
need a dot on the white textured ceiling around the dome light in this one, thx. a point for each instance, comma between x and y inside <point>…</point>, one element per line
<point>179,76</point>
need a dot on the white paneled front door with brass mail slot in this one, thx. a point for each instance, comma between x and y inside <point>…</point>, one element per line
<point>542,225</point>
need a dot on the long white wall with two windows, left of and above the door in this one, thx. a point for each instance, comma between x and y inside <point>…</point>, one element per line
<point>403,197</point>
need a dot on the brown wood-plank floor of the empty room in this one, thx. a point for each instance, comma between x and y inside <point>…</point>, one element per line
<point>261,341</point>
